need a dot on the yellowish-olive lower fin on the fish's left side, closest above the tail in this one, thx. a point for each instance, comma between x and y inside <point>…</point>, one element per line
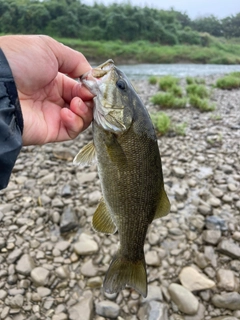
<point>102,220</point>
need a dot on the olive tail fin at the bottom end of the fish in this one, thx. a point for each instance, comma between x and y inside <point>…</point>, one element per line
<point>124,272</point>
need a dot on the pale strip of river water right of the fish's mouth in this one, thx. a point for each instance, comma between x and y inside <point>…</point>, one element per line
<point>141,71</point>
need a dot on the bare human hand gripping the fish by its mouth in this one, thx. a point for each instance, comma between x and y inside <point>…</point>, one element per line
<point>55,107</point>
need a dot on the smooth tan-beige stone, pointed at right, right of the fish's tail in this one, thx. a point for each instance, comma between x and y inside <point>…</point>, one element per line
<point>193,280</point>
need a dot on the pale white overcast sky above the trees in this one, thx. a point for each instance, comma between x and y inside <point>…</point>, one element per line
<point>194,8</point>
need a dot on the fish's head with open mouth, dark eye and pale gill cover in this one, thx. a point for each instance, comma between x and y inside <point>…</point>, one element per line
<point>113,93</point>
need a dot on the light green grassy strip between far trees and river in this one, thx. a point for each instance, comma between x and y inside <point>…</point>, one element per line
<point>218,51</point>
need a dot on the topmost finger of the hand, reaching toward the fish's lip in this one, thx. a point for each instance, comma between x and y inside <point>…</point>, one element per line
<point>70,61</point>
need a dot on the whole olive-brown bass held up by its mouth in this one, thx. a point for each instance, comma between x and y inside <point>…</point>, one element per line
<point>130,170</point>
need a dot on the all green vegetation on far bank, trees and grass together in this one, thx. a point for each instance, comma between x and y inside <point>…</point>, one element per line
<point>124,32</point>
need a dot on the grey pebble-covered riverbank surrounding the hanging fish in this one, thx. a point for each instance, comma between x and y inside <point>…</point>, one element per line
<point>192,254</point>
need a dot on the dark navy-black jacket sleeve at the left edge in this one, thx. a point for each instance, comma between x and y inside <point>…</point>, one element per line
<point>11,122</point>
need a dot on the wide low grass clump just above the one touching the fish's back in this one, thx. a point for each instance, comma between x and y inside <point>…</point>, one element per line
<point>168,100</point>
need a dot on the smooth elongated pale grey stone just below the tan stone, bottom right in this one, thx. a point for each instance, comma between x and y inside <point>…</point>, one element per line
<point>183,298</point>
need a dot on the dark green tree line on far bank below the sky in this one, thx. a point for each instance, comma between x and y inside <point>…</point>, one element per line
<point>74,19</point>
